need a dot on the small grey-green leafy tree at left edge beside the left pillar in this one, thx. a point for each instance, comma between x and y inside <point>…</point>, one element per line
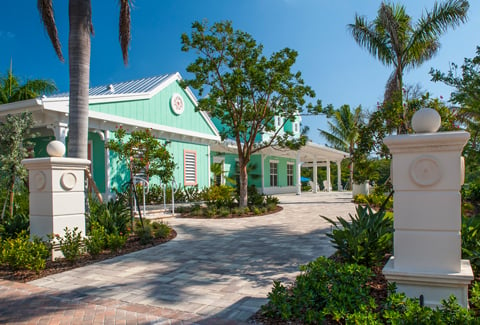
<point>13,149</point>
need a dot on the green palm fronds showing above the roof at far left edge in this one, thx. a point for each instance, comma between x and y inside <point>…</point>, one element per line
<point>13,90</point>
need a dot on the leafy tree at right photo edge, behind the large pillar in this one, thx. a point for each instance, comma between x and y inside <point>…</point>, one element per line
<point>467,96</point>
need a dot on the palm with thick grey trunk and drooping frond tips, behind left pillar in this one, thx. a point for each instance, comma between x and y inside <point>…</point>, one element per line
<point>80,17</point>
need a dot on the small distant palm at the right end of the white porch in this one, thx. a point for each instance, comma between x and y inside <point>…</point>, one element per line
<point>344,131</point>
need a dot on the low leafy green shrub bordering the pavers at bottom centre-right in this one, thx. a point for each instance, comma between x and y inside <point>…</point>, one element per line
<point>323,289</point>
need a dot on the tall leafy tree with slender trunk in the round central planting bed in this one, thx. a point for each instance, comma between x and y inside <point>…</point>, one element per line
<point>246,90</point>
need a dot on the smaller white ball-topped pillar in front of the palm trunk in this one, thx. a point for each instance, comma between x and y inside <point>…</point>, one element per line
<point>57,193</point>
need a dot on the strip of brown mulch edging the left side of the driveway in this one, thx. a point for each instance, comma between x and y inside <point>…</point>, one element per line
<point>60,265</point>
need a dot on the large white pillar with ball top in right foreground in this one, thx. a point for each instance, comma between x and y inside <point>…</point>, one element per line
<point>427,173</point>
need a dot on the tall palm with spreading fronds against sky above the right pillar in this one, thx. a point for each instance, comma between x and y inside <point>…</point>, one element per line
<point>396,41</point>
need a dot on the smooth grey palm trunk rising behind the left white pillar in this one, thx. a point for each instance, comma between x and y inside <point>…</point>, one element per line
<point>79,12</point>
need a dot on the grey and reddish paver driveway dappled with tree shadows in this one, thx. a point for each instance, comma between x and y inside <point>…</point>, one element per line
<point>214,272</point>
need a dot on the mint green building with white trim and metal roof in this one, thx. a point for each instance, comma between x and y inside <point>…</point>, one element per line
<point>160,104</point>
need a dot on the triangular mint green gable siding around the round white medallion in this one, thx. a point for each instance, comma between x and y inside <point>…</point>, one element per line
<point>157,110</point>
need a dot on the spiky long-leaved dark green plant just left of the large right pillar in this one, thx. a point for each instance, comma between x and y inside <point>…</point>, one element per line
<point>365,239</point>
